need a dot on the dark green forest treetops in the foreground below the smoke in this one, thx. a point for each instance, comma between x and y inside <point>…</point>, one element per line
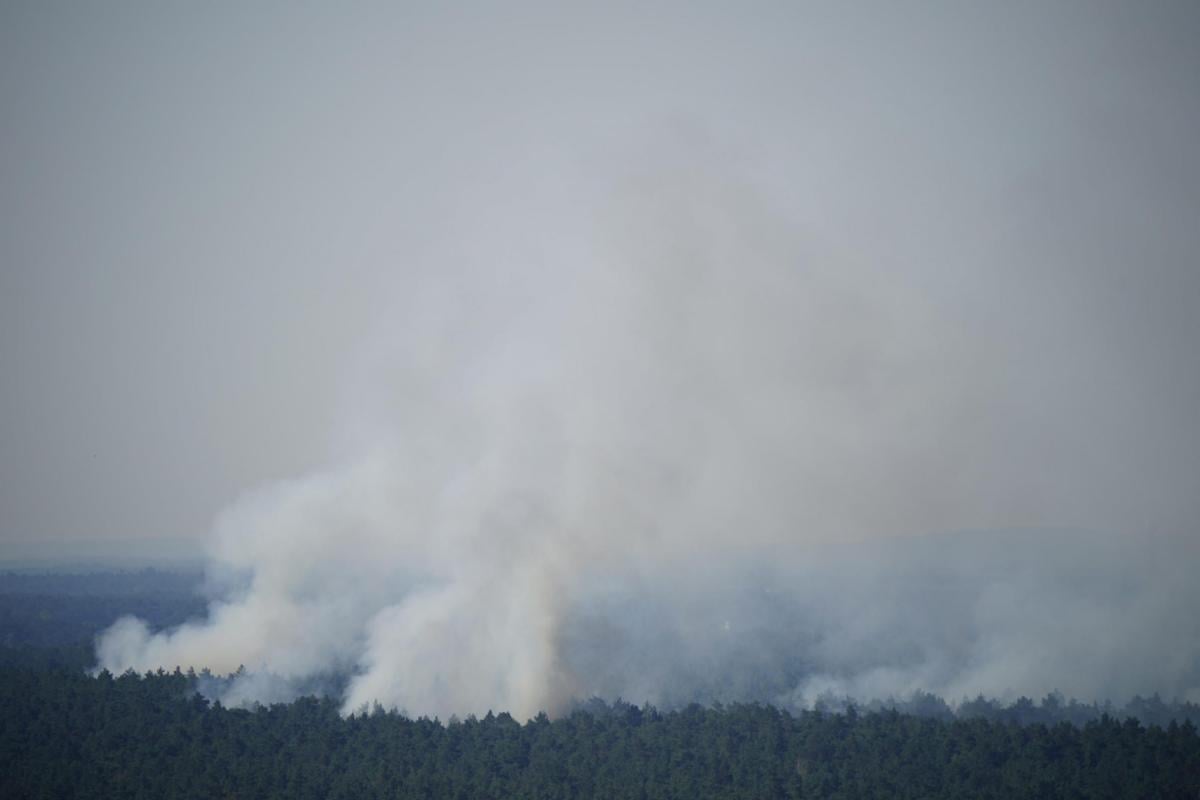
<point>64,735</point>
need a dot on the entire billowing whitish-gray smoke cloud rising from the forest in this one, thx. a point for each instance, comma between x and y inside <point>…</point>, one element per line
<point>692,446</point>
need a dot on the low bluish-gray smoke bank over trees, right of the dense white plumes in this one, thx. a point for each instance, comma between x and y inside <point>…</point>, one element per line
<point>999,613</point>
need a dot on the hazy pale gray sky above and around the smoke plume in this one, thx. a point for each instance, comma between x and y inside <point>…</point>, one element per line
<point>214,218</point>
